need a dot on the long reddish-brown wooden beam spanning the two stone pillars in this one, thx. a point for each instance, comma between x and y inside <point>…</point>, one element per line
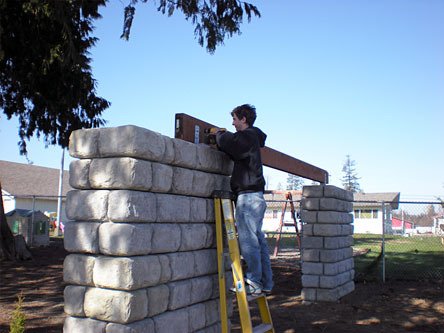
<point>192,130</point>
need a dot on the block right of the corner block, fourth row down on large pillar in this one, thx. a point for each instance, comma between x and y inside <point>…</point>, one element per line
<point>166,237</point>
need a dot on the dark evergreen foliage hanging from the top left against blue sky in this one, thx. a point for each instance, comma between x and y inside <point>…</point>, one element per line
<point>45,74</point>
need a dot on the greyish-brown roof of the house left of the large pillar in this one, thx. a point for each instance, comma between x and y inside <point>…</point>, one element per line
<point>20,179</point>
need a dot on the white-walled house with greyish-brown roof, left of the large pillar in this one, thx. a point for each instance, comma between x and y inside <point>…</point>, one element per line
<point>31,187</point>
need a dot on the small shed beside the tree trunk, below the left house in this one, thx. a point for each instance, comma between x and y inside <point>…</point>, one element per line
<point>33,225</point>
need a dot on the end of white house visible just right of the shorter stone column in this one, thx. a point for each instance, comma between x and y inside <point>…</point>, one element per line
<point>372,211</point>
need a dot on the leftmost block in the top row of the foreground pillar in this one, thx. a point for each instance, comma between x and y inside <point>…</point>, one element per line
<point>84,143</point>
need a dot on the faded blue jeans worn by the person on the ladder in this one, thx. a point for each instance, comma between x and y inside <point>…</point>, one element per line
<point>250,210</point>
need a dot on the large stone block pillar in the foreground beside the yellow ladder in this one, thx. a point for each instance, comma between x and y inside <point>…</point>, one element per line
<point>142,239</point>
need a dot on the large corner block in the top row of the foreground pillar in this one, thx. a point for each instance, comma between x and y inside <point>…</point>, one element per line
<point>131,141</point>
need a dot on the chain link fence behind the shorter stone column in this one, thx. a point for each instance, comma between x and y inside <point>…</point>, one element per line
<point>402,241</point>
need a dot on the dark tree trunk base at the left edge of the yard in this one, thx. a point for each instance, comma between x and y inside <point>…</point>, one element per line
<point>11,248</point>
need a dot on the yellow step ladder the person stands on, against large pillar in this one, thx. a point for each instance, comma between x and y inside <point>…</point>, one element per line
<point>224,211</point>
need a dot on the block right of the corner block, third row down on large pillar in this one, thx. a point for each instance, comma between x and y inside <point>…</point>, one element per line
<point>173,208</point>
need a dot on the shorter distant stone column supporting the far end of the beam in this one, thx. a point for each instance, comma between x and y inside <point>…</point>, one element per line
<point>327,254</point>
